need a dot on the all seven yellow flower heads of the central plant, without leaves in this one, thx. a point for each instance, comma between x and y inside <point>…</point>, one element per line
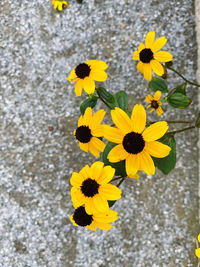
<point>135,144</point>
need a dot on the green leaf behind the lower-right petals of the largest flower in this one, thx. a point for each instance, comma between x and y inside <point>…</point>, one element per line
<point>168,163</point>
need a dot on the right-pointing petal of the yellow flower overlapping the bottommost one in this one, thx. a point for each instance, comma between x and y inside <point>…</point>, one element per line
<point>110,192</point>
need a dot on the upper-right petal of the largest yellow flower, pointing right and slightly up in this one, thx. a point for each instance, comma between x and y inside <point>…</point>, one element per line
<point>155,131</point>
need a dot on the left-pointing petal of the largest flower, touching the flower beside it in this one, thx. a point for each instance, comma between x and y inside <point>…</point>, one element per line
<point>112,134</point>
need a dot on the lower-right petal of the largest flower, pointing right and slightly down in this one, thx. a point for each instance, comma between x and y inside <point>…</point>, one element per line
<point>157,149</point>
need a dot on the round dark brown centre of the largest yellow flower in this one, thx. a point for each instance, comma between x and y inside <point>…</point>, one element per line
<point>133,143</point>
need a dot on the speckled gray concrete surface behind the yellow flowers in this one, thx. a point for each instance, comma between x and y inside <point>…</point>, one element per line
<point>158,215</point>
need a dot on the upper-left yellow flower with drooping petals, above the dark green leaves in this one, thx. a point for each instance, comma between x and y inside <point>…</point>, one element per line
<point>86,73</point>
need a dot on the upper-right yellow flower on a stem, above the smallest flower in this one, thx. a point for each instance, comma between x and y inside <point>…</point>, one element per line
<point>150,56</point>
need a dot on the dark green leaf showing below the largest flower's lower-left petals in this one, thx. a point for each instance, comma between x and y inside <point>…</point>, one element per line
<point>119,167</point>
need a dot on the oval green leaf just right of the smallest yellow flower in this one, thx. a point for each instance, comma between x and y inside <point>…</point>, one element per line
<point>178,100</point>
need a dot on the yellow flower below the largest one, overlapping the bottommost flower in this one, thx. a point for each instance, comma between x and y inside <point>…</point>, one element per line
<point>90,188</point>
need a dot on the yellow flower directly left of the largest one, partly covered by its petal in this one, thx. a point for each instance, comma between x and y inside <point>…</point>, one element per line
<point>88,131</point>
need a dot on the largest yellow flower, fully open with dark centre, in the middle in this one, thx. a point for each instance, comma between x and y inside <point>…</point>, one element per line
<point>136,145</point>
